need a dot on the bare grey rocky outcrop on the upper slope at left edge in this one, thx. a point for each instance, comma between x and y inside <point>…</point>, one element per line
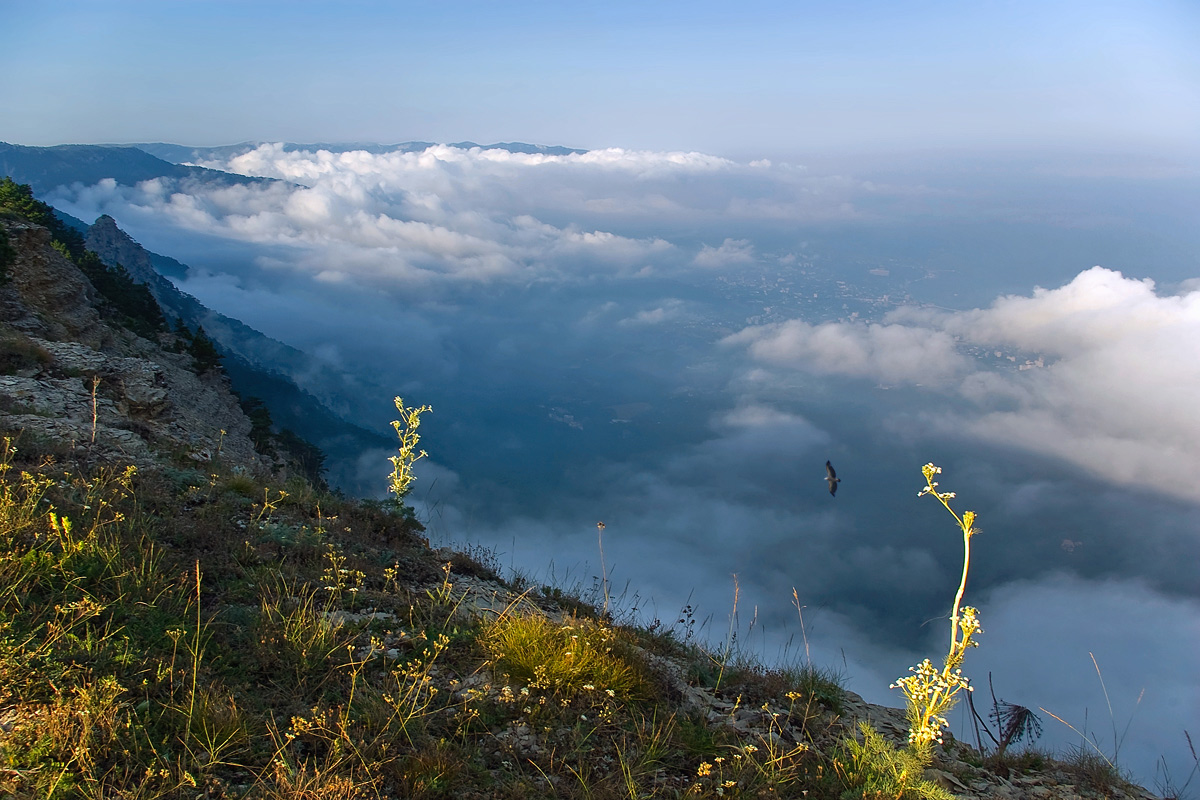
<point>99,390</point>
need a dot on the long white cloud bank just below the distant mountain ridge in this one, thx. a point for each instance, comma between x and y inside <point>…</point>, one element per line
<point>448,216</point>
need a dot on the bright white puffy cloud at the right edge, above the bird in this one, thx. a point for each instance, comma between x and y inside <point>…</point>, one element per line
<point>1102,374</point>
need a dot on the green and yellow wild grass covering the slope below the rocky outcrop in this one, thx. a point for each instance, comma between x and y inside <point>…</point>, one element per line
<point>205,635</point>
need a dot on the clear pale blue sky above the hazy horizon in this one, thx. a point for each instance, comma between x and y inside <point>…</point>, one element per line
<point>765,80</point>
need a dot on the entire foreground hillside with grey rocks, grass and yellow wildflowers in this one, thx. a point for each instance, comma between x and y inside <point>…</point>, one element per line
<point>183,618</point>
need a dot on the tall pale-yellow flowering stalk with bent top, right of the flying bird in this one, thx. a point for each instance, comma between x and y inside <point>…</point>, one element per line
<point>933,693</point>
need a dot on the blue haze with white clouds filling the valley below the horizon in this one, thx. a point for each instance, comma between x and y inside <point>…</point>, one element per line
<point>675,344</point>
